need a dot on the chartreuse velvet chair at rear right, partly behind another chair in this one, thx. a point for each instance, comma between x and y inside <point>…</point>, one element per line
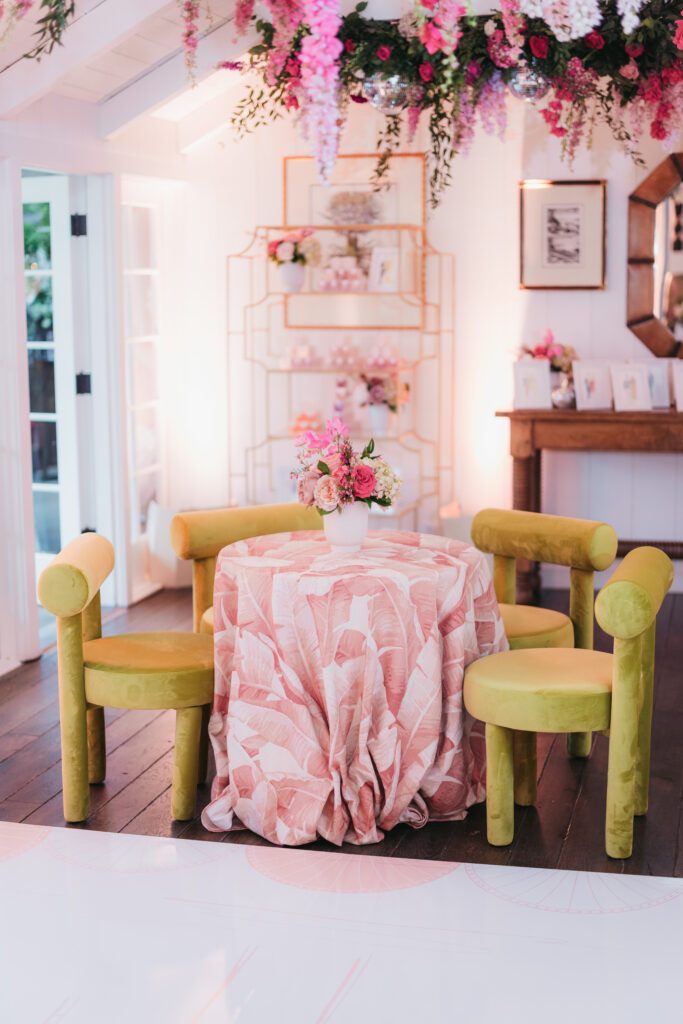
<point>585,547</point>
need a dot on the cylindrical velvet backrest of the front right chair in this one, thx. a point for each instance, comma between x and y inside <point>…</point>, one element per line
<point>630,601</point>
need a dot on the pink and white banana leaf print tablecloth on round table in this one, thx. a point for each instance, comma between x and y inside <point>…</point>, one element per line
<point>338,707</point>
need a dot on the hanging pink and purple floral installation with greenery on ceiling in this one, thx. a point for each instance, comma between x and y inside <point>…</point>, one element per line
<point>581,63</point>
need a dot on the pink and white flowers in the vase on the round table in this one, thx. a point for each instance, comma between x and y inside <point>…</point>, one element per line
<point>332,476</point>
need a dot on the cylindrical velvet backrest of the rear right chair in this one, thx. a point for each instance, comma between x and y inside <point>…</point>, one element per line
<point>581,544</point>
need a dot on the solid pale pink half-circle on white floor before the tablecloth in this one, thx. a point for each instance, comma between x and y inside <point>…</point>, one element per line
<point>344,873</point>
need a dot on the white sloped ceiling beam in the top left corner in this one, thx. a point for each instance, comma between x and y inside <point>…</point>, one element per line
<point>93,33</point>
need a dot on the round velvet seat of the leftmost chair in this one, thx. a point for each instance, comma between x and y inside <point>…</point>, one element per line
<point>150,670</point>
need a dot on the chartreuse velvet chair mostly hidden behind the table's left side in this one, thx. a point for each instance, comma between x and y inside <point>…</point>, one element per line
<point>201,536</point>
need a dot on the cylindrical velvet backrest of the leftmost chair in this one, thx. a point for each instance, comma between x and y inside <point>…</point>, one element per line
<point>74,577</point>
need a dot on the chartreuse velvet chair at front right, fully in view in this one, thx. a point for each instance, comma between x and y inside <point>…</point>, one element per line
<point>570,691</point>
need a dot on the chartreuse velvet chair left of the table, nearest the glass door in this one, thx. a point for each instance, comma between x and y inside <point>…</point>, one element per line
<point>133,671</point>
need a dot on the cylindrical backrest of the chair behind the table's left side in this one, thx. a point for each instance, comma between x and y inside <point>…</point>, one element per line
<point>202,535</point>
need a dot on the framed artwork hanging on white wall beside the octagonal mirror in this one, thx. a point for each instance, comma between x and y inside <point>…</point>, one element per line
<point>563,235</point>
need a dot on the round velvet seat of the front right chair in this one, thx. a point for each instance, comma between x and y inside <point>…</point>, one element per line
<point>549,690</point>
